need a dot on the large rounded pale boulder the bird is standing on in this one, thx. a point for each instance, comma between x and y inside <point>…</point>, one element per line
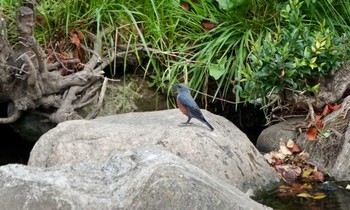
<point>225,153</point>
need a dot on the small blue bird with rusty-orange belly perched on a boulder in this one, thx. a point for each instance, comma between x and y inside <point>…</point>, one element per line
<point>188,106</point>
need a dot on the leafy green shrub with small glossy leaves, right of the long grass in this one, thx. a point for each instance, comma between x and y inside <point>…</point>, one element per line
<point>293,57</point>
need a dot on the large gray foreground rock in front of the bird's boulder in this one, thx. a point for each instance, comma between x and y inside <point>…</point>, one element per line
<point>142,178</point>
